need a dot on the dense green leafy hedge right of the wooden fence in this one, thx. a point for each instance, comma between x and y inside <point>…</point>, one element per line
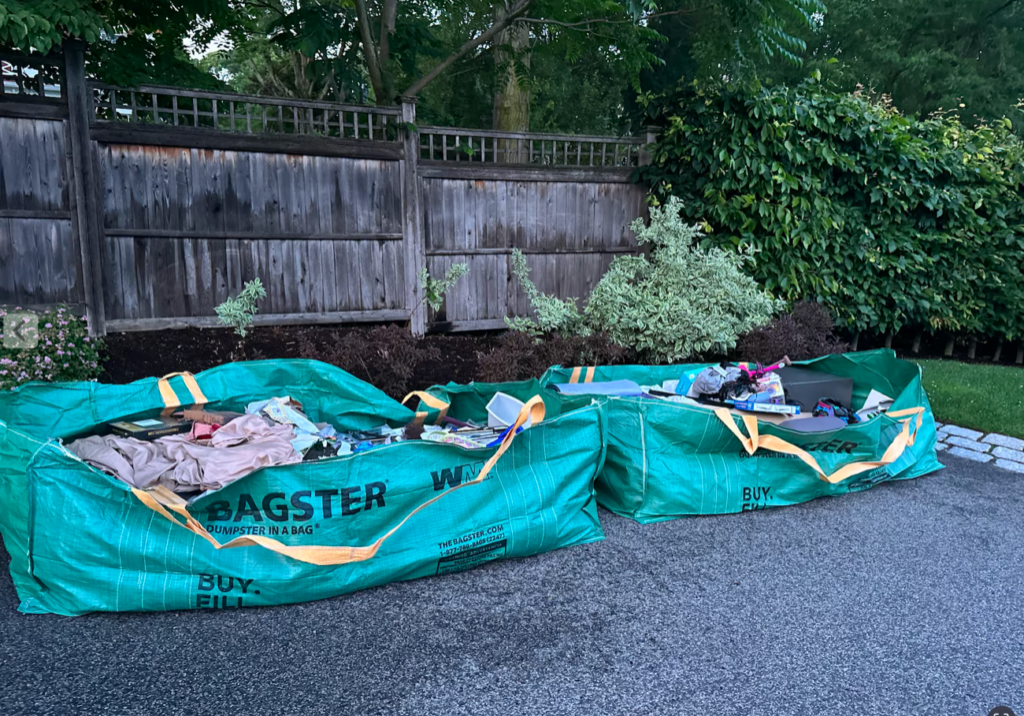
<point>890,222</point>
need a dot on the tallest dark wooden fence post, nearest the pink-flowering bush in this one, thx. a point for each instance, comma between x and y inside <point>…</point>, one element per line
<point>84,185</point>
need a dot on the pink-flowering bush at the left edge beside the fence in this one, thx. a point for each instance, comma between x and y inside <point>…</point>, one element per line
<point>64,352</point>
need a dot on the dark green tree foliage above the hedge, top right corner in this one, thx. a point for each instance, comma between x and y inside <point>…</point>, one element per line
<point>926,55</point>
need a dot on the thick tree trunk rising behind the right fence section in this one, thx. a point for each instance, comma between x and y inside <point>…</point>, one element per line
<point>511,93</point>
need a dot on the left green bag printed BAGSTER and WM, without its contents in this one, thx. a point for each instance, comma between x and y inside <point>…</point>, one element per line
<point>82,541</point>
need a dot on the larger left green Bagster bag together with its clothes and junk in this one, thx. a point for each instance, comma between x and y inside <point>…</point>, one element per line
<point>152,496</point>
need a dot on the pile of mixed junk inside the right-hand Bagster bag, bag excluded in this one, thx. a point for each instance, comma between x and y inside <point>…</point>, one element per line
<point>783,394</point>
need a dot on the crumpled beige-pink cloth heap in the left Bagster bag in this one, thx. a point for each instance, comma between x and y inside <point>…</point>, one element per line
<point>182,465</point>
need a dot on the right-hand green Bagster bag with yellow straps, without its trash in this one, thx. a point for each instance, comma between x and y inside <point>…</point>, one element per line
<point>667,460</point>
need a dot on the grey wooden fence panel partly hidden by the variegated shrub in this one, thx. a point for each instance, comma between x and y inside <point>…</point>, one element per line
<point>571,232</point>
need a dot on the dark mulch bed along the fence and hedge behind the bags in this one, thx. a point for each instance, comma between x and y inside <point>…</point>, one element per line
<point>391,359</point>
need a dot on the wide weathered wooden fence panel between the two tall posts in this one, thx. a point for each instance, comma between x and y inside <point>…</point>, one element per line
<point>188,228</point>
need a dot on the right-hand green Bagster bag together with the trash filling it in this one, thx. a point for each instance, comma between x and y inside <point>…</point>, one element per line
<point>706,439</point>
